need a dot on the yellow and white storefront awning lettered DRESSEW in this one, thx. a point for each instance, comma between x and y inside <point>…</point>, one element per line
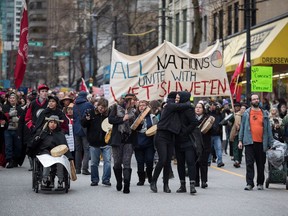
<point>268,46</point>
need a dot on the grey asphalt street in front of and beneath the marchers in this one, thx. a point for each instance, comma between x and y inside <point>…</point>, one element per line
<point>224,196</point>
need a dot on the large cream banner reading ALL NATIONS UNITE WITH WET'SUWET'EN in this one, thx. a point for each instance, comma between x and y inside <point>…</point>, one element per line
<point>166,68</point>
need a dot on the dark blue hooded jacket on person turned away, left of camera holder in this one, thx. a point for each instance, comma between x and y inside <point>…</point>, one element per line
<point>81,105</point>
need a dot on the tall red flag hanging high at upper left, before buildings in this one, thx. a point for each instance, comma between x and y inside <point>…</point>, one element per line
<point>22,56</point>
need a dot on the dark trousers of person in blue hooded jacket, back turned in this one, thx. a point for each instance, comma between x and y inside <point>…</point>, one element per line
<point>81,148</point>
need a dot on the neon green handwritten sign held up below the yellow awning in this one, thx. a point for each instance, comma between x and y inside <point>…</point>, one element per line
<point>262,79</point>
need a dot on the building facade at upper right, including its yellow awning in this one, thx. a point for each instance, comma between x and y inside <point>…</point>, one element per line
<point>227,21</point>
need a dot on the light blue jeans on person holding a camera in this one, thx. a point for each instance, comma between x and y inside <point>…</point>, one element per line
<point>95,159</point>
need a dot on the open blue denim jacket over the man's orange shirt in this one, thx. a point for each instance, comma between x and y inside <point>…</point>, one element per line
<point>245,130</point>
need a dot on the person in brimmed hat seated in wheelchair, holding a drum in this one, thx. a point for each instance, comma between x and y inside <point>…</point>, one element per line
<point>45,140</point>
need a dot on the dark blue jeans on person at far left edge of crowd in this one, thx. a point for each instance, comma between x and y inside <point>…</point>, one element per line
<point>12,145</point>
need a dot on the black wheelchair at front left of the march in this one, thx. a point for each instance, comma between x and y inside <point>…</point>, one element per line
<point>37,178</point>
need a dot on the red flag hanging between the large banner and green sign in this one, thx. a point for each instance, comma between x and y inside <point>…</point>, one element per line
<point>236,80</point>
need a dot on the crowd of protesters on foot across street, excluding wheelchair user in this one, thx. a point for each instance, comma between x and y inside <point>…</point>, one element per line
<point>79,117</point>
